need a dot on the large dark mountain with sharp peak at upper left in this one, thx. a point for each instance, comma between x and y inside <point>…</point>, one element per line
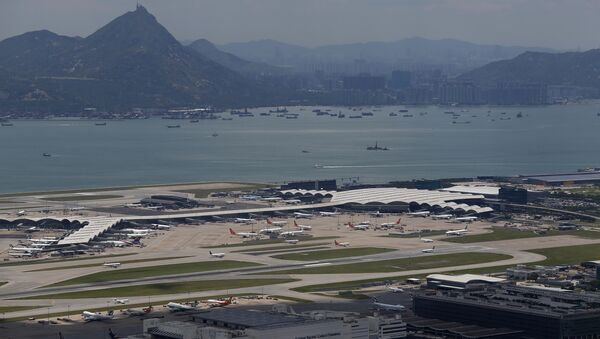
<point>131,62</point>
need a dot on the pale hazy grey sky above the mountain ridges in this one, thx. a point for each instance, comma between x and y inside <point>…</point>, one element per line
<point>562,24</point>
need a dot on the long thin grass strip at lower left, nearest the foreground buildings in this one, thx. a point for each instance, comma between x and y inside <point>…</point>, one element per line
<point>164,288</point>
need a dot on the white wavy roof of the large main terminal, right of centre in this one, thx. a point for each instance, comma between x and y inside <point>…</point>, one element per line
<point>390,195</point>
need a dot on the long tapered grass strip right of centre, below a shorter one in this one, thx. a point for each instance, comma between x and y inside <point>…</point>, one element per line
<point>393,265</point>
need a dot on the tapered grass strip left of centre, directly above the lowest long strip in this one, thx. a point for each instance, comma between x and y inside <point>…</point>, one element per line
<point>156,271</point>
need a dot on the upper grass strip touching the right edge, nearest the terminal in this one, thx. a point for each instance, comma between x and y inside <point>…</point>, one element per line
<point>501,233</point>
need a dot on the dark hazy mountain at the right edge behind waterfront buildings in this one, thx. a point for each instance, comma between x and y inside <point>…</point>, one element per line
<point>572,68</point>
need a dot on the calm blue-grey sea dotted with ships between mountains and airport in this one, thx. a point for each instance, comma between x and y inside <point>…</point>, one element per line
<point>545,140</point>
